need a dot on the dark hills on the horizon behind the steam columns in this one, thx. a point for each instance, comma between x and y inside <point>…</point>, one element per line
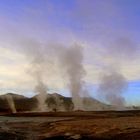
<point>54,102</point>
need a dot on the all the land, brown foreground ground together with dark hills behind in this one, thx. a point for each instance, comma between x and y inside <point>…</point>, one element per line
<point>21,119</point>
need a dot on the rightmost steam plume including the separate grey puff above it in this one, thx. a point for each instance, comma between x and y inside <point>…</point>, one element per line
<point>113,82</point>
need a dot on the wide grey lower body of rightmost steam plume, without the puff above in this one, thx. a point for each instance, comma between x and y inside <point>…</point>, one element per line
<point>111,88</point>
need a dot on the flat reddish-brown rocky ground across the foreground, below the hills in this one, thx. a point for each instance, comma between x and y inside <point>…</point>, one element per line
<point>105,125</point>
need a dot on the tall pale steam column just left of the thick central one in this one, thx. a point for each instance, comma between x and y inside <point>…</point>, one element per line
<point>35,53</point>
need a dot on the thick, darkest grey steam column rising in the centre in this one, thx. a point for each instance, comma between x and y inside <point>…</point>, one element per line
<point>71,61</point>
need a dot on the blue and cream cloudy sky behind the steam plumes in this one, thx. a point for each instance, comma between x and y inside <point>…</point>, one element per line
<point>108,30</point>
